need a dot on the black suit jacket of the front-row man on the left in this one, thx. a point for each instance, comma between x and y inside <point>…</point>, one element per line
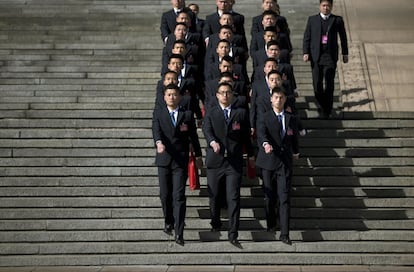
<point>176,139</point>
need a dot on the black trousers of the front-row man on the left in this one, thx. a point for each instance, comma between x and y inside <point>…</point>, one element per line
<point>172,182</point>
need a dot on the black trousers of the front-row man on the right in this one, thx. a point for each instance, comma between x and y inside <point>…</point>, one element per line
<point>276,187</point>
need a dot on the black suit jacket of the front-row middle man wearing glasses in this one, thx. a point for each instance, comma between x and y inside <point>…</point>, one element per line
<point>232,137</point>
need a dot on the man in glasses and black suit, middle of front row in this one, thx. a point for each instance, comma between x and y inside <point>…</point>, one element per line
<point>227,133</point>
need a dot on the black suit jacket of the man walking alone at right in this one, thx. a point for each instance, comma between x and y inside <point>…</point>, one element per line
<point>313,35</point>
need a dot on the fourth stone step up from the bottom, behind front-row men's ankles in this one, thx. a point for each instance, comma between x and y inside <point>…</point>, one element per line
<point>246,224</point>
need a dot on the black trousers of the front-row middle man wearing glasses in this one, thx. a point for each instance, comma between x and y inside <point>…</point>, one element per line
<point>232,178</point>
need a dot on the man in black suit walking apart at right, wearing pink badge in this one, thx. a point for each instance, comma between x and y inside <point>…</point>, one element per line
<point>320,46</point>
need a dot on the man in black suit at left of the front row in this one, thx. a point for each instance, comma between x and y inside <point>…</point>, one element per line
<point>173,131</point>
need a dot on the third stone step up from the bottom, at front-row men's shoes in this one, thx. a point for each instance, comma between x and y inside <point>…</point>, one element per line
<point>194,235</point>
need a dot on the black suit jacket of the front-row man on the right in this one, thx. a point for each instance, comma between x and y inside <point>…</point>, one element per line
<point>268,131</point>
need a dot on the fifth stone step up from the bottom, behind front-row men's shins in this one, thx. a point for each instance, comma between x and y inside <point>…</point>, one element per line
<point>197,212</point>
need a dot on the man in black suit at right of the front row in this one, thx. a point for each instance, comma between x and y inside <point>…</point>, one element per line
<point>277,138</point>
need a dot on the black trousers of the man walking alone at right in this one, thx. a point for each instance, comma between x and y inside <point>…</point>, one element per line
<point>324,72</point>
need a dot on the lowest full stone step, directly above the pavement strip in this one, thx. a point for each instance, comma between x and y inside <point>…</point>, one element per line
<point>229,258</point>
